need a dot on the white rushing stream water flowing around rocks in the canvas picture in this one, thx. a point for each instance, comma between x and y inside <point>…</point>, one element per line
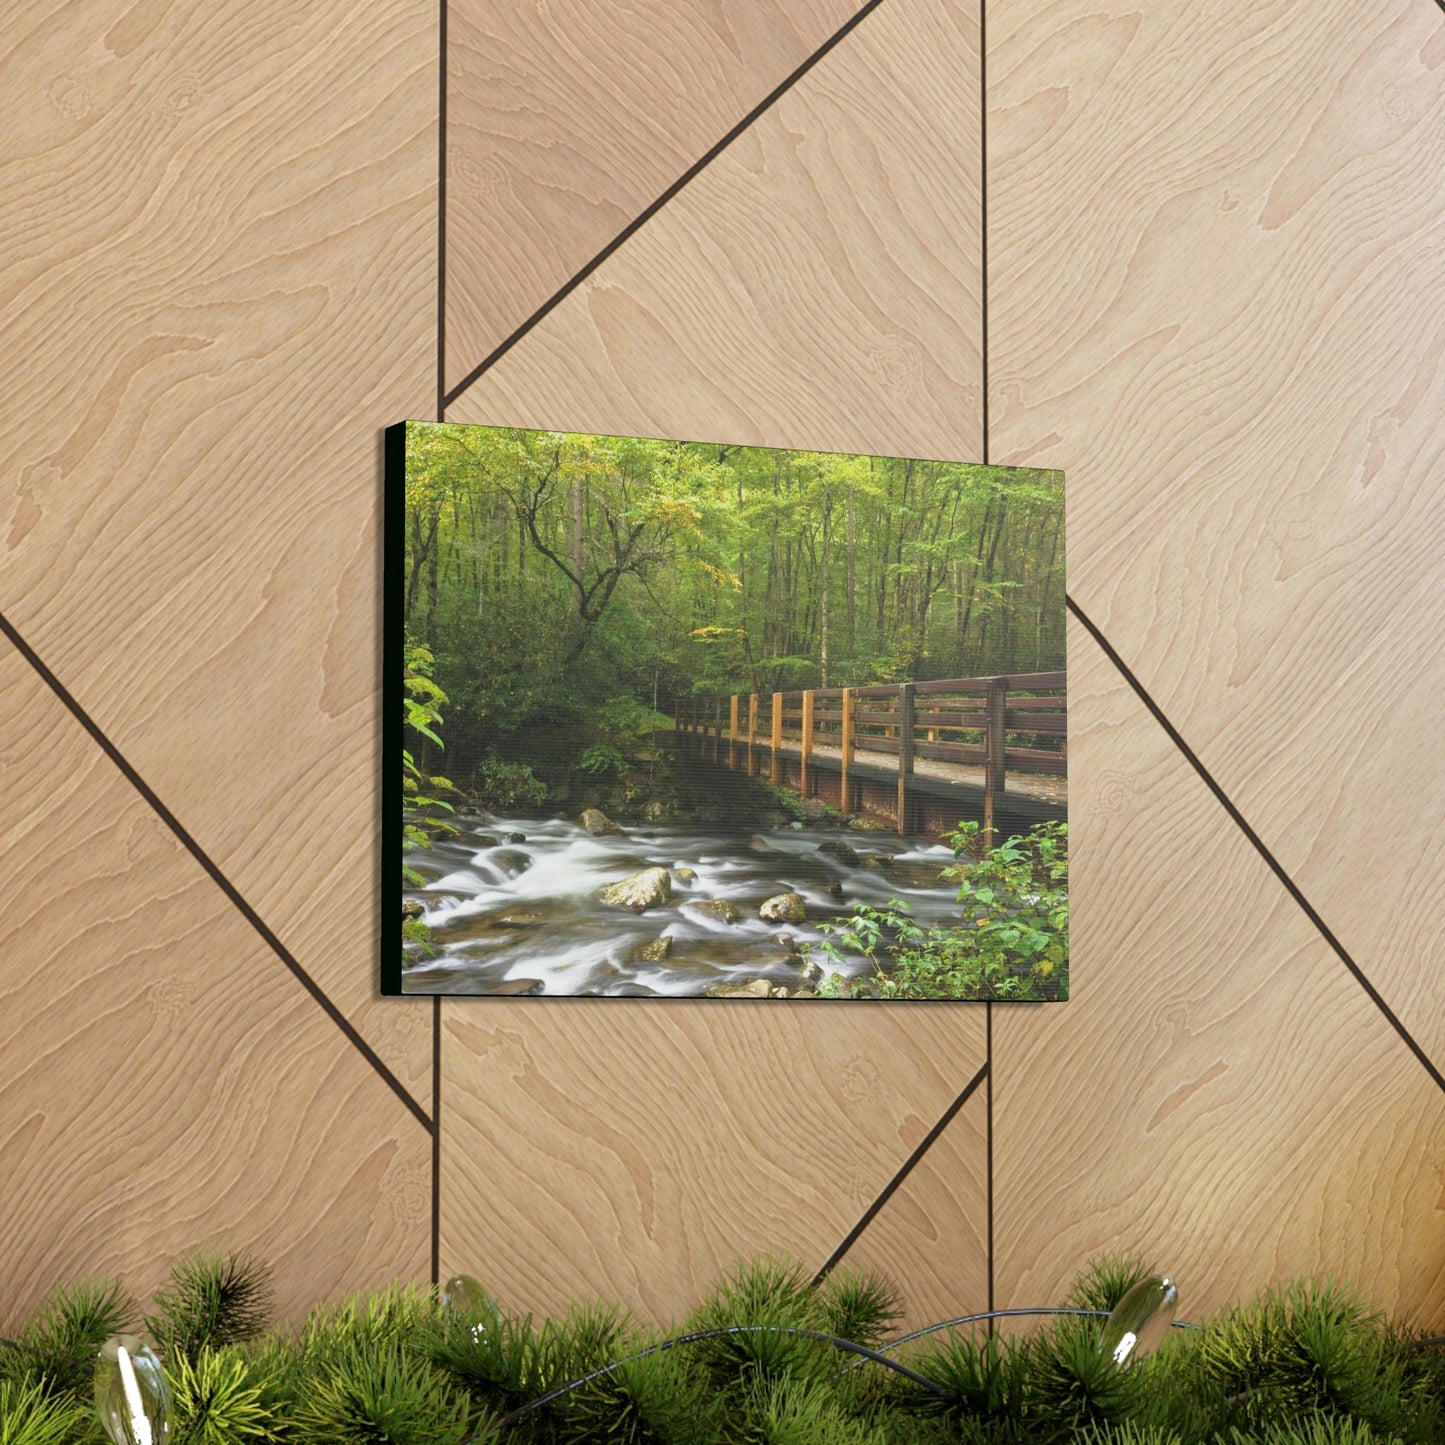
<point>514,904</point>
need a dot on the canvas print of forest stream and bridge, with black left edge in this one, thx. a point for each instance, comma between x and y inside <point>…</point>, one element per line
<point>680,719</point>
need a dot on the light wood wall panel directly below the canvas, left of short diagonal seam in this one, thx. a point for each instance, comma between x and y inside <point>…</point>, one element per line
<point>638,1152</point>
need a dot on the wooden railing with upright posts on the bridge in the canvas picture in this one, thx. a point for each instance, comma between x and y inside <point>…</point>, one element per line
<point>972,722</point>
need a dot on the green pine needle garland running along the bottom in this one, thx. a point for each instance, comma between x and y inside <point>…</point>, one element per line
<point>768,1360</point>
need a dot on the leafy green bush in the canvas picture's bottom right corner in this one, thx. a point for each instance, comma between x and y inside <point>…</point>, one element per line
<point>1012,941</point>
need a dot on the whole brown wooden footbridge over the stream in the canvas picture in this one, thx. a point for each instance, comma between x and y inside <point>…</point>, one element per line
<point>921,754</point>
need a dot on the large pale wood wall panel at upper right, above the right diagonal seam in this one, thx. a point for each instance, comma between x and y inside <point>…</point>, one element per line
<point>1213,233</point>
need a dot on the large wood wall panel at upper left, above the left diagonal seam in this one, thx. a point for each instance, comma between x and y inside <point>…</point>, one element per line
<point>219,268</point>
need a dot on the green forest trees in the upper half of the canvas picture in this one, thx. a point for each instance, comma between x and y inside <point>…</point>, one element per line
<point>569,589</point>
